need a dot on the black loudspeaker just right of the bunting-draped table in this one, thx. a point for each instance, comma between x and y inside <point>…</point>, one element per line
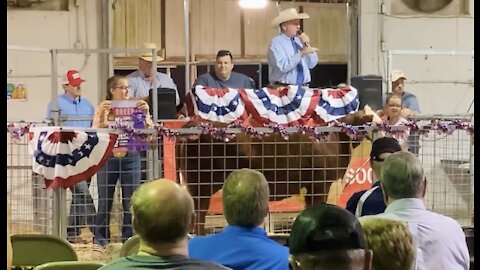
<point>369,90</point>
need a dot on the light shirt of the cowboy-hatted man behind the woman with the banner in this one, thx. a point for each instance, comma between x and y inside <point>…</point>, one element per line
<point>141,86</point>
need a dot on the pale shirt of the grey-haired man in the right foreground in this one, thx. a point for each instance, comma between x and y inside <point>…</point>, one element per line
<point>440,241</point>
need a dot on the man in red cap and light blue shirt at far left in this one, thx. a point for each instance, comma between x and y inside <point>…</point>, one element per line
<point>72,105</point>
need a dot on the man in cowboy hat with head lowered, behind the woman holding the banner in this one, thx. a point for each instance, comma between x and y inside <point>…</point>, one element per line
<point>141,80</point>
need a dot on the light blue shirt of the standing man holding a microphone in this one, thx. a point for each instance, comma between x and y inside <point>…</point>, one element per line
<point>282,61</point>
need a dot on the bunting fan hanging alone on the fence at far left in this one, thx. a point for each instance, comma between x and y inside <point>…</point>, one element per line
<point>66,156</point>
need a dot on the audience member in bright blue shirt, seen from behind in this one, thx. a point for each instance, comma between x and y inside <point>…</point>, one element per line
<point>243,244</point>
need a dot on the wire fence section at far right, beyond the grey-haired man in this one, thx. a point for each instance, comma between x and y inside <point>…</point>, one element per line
<point>448,164</point>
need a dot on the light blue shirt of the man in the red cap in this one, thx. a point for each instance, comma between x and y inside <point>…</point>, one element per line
<point>69,107</point>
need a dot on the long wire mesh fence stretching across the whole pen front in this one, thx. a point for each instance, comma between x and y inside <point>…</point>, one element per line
<point>299,173</point>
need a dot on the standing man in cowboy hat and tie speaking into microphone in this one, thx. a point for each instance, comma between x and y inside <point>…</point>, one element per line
<point>290,56</point>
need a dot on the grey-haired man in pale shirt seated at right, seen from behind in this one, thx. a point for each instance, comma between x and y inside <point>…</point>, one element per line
<point>440,241</point>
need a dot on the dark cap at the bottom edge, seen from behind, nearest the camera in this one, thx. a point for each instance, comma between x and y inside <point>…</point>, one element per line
<point>325,227</point>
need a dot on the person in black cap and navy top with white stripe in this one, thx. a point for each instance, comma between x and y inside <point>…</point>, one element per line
<point>370,202</point>
